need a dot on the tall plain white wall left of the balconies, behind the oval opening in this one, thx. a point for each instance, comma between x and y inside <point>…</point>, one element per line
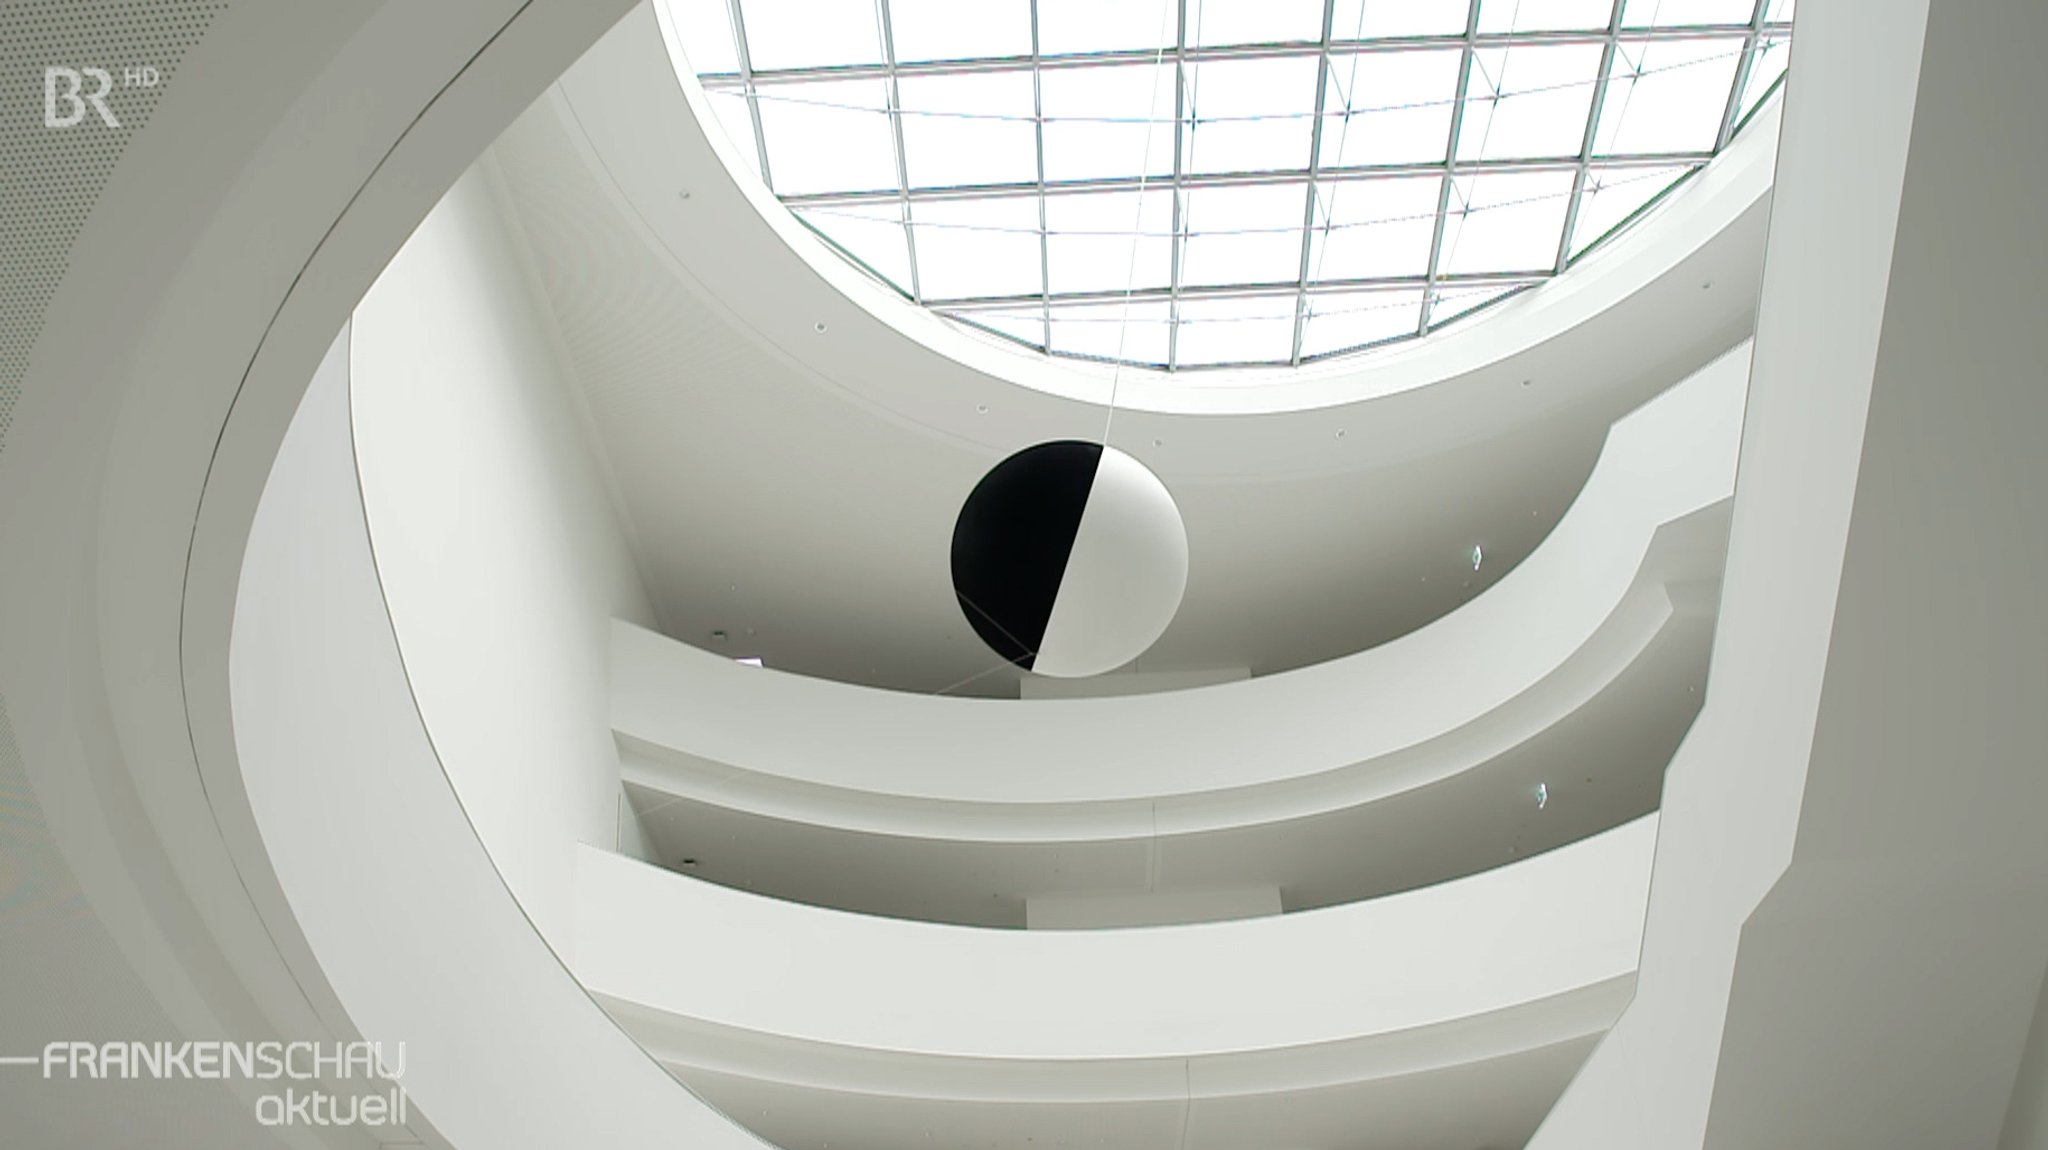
<point>497,543</point>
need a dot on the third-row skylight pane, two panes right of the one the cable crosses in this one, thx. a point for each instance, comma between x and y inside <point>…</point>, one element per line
<point>1373,228</point>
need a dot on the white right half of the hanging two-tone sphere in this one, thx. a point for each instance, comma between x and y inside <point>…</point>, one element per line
<point>1125,576</point>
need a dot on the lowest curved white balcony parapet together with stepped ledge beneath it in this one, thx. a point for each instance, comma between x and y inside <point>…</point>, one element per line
<point>1486,973</point>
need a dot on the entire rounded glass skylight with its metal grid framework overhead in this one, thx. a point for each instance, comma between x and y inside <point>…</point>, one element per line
<point>1250,183</point>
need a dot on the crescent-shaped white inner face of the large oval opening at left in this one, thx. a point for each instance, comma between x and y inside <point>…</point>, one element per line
<point>411,922</point>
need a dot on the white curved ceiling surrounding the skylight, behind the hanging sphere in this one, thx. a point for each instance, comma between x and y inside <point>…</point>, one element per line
<point>794,488</point>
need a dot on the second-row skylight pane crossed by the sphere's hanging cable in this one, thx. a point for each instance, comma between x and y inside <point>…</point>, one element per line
<point>1105,122</point>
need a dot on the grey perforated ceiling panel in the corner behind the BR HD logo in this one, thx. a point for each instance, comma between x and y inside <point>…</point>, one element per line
<point>58,144</point>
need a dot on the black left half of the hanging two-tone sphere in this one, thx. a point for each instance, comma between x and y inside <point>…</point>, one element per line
<point>1013,541</point>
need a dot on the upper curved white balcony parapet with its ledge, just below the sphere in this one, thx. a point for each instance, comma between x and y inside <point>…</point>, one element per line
<point>1543,639</point>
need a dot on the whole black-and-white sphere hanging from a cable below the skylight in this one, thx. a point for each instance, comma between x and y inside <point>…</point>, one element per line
<point>1070,560</point>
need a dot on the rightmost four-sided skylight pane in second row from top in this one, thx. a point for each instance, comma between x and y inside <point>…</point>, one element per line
<point>1666,97</point>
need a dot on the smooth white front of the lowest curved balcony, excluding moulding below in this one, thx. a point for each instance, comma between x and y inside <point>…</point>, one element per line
<point>1521,934</point>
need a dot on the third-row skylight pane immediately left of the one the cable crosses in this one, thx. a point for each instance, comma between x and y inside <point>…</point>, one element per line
<point>978,249</point>
